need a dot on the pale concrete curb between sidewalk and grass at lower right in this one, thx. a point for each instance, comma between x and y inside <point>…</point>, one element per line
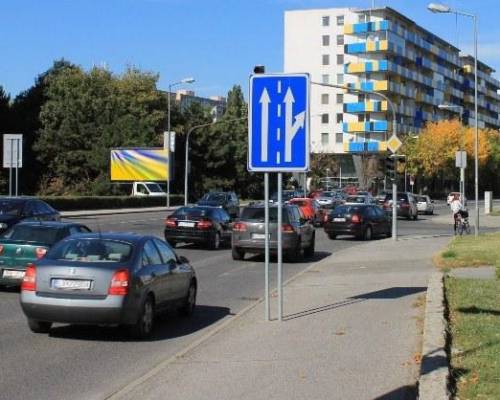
<point>435,371</point>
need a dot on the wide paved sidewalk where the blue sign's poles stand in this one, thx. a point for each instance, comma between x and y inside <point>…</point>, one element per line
<point>352,330</point>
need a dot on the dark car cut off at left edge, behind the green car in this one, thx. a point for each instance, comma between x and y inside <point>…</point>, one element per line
<point>15,209</point>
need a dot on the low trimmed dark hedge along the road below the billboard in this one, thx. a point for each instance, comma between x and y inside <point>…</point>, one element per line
<point>74,203</point>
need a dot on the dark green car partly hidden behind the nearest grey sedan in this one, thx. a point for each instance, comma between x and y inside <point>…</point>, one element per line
<point>27,242</point>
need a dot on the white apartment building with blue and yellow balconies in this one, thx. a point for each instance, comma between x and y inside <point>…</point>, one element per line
<point>383,51</point>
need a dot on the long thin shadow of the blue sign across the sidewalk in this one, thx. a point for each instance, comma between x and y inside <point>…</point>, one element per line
<point>389,293</point>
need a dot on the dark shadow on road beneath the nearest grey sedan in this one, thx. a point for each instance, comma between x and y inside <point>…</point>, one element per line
<point>167,326</point>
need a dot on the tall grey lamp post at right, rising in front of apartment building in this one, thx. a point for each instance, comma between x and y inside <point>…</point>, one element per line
<point>442,8</point>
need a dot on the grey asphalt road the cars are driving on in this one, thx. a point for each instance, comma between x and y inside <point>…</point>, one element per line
<point>76,362</point>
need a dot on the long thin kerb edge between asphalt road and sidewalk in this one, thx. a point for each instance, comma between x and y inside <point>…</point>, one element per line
<point>198,342</point>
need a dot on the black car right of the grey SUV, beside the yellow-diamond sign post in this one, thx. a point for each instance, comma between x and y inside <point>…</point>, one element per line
<point>362,221</point>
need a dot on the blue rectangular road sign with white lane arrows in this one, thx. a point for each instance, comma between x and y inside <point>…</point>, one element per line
<point>278,123</point>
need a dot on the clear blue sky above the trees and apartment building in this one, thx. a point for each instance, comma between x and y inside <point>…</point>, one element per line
<point>217,42</point>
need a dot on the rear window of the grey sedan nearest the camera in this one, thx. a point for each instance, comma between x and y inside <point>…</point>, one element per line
<point>91,250</point>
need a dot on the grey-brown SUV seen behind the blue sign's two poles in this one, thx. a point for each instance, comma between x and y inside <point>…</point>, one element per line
<point>249,232</point>
